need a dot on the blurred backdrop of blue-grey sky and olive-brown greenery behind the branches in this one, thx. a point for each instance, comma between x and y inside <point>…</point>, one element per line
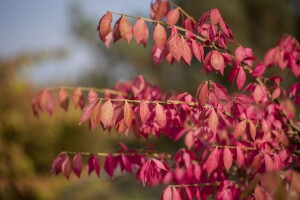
<point>47,43</point>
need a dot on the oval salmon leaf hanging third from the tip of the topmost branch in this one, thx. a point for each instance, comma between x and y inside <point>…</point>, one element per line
<point>140,31</point>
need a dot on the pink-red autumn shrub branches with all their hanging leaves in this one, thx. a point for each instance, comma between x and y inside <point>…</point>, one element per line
<point>241,145</point>
